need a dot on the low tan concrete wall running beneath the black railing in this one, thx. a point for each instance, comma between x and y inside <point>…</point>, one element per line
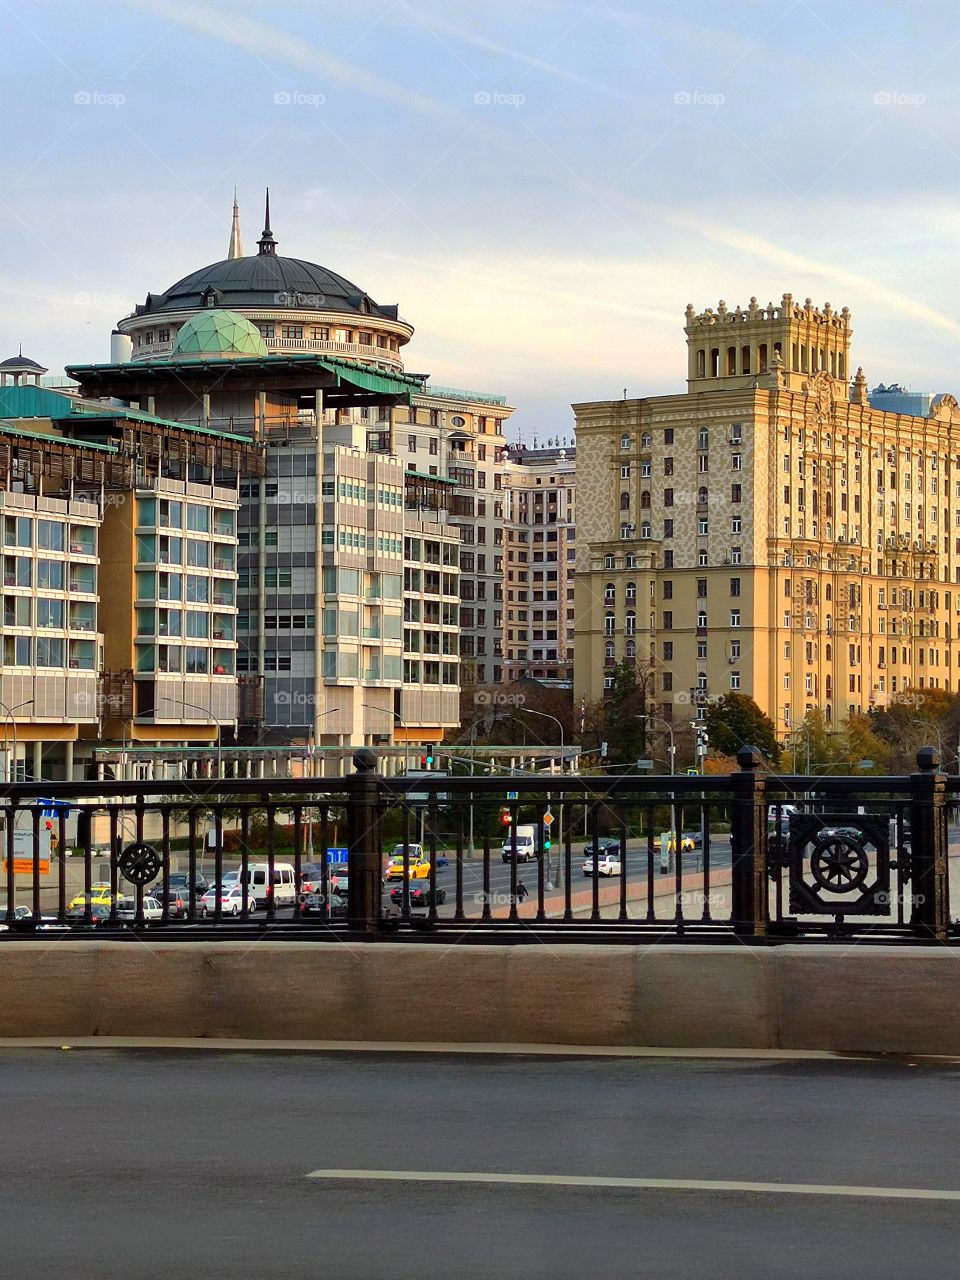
<point>816,998</point>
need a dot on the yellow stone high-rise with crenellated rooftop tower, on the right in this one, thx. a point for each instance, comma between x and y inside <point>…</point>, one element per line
<point>769,531</point>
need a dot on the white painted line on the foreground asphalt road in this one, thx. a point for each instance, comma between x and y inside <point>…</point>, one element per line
<point>670,1185</point>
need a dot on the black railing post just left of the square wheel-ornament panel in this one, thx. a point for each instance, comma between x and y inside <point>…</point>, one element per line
<point>748,840</point>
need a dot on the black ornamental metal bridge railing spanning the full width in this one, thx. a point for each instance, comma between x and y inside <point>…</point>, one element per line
<point>748,856</point>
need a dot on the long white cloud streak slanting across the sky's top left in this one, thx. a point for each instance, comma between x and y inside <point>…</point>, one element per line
<point>269,44</point>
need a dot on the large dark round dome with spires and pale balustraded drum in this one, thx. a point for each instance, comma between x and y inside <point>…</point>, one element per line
<point>296,307</point>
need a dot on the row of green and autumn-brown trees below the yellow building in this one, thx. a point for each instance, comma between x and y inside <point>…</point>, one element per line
<point>885,740</point>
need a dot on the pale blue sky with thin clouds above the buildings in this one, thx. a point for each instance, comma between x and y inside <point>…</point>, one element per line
<point>542,186</point>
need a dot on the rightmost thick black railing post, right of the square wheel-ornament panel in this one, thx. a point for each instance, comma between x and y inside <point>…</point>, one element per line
<point>930,848</point>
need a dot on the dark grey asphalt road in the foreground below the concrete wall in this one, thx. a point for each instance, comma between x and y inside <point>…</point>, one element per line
<point>122,1164</point>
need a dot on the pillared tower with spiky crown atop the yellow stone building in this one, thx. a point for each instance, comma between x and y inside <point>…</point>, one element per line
<point>775,346</point>
